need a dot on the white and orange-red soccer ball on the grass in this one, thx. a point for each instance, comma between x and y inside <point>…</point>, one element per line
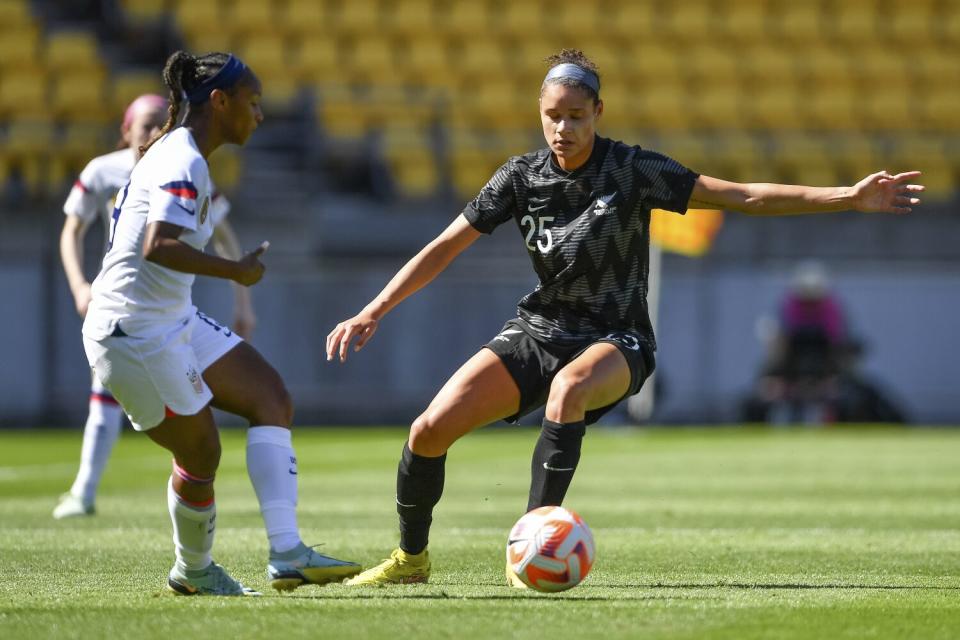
<point>550,549</point>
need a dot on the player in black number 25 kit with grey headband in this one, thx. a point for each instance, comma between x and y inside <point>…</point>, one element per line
<point>582,341</point>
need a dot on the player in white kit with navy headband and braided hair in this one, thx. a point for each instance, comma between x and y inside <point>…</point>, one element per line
<point>167,363</point>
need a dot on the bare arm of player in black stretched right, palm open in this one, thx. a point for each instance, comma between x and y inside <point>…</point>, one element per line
<point>879,192</point>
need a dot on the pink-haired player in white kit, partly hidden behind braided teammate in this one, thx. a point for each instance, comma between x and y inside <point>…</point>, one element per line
<point>91,198</point>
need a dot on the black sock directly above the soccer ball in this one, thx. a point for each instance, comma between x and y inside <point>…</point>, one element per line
<point>554,461</point>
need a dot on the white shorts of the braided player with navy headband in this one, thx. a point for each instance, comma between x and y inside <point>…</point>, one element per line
<point>153,377</point>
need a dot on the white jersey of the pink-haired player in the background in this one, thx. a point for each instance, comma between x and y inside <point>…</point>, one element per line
<point>93,193</point>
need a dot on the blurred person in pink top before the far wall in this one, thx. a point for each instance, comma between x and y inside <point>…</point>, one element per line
<point>812,373</point>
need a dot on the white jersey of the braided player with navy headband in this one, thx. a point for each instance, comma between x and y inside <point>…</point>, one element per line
<point>171,183</point>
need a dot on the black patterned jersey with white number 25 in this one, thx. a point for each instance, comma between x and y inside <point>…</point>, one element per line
<point>587,232</point>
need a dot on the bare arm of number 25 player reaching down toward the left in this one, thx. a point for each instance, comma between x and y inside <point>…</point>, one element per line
<point>417,273</point>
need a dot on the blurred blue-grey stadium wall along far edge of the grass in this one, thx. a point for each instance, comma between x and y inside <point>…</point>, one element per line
<point>708,355</point>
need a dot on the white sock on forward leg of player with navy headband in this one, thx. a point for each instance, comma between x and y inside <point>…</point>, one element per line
<point>272,467</point>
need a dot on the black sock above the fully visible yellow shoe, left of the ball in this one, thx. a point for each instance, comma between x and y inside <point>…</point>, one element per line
<point>419,487</point>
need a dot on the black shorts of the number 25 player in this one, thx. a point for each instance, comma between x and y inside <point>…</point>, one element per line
<point>533,363</point>
